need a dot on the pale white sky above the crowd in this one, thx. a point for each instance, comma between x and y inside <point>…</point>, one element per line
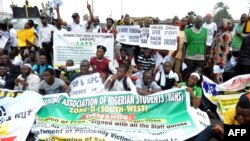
<point>138,8</point>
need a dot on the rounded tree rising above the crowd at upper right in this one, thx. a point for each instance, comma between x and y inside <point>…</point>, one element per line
<point>221,11</point>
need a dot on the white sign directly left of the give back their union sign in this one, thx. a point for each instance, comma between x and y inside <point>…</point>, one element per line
<point>128,34</point>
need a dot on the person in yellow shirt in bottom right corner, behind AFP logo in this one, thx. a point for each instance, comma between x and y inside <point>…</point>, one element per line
<point>240,115</point>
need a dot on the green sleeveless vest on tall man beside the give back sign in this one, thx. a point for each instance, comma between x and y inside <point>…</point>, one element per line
<point>196,42</point>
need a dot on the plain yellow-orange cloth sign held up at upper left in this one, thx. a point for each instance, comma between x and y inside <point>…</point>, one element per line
<point>25,34</point>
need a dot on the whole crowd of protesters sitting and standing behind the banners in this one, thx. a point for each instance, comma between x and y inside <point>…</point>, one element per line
<point>205,48</point>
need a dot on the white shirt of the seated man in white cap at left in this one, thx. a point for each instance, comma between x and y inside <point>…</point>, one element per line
<point>33,83</point>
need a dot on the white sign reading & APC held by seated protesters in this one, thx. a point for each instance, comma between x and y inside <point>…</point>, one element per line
<point>86,84</point>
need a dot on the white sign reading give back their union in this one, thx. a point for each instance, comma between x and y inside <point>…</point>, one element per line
<point>163,37</point>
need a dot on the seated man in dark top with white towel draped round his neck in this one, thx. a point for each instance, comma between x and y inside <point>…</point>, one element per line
<point>166,78</point>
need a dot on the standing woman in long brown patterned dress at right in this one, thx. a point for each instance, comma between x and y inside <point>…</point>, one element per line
<point>220,49</point>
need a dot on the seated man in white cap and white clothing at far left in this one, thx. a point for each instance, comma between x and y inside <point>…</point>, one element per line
<point>27,80</point>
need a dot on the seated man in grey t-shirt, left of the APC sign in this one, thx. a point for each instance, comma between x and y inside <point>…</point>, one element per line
<point>51,84</point>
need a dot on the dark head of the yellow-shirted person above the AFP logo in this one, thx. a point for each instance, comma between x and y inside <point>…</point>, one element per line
<point>242,113</point>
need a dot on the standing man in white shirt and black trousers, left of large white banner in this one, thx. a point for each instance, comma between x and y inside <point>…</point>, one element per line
<point>46,33</point>
